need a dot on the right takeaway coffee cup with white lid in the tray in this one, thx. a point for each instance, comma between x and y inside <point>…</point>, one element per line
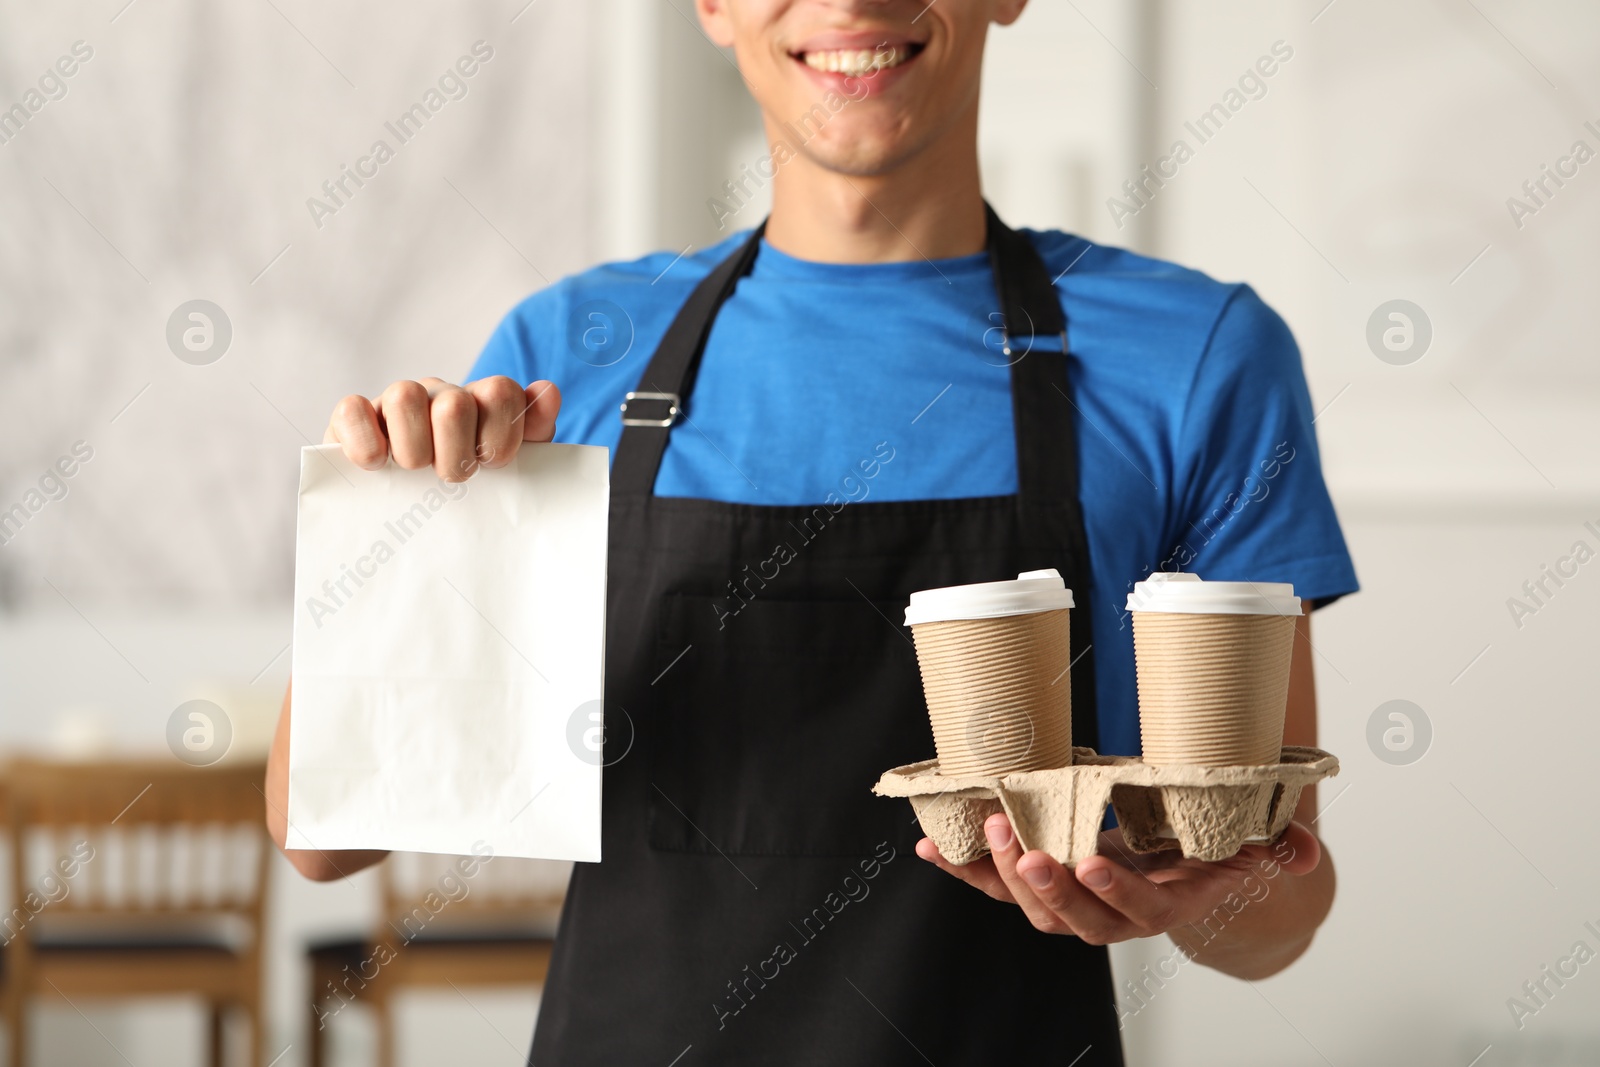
<point>1214,668</point>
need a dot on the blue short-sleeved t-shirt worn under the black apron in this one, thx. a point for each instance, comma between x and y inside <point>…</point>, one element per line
<point>1194,433</point>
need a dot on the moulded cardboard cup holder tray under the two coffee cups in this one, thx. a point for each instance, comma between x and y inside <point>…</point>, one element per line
<point>1207,812</point>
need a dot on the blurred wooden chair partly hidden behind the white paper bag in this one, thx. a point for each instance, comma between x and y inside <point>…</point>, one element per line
<point>447,921</point>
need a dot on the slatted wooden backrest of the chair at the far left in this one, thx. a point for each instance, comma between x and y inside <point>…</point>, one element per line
<point>135,842</point>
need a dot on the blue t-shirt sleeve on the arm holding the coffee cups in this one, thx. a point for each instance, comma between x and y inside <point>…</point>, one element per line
<point>1252,502</point>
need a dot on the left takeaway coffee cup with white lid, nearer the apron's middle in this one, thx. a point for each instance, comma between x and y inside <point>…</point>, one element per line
<point>994,666</point>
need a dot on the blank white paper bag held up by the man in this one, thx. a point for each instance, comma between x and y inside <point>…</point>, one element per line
<point>449,657</point>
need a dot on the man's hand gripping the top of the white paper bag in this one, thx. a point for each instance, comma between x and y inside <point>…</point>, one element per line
<point>454,428</point>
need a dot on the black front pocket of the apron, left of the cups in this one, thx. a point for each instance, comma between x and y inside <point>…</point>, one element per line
<point>770,732</point>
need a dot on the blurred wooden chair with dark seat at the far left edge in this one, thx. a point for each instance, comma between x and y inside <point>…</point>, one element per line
<point>137,881</point>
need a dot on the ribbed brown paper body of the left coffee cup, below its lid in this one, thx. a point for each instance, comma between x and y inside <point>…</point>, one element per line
<point>999,692</point>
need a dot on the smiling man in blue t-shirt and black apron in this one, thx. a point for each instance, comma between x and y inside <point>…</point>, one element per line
<point>882,393</point>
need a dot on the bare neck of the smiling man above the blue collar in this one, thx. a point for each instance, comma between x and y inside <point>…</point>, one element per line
<point>926,207</point>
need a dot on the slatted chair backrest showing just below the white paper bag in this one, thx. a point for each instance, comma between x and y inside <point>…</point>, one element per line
<point>442,895</point>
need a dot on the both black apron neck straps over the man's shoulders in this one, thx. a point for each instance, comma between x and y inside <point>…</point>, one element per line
<point>1041,396</point>
